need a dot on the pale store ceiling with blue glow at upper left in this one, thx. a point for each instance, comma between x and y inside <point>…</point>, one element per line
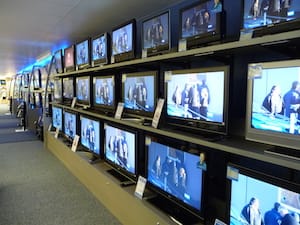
<point>31,28</point>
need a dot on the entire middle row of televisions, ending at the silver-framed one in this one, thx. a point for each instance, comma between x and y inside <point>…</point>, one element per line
<point>197,100</point>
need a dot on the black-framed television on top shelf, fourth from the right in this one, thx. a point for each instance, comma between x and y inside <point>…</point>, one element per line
<point>124,41</point>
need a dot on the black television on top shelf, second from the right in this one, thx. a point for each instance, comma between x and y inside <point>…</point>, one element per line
<point>202,23</point>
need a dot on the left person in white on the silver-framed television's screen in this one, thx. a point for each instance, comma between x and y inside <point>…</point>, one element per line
<point>273,102</point>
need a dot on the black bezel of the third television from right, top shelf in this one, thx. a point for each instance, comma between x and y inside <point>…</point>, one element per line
<point>162,48</point>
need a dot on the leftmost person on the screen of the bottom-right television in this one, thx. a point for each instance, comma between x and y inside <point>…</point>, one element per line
<point>251,214</point>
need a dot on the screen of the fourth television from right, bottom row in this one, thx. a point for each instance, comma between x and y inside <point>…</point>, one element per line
<point>90,134</point>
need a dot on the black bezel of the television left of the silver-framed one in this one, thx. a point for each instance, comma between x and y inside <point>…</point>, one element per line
<point>202,126</point>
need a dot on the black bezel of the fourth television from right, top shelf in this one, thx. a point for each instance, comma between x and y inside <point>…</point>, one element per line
<point>131,54</point>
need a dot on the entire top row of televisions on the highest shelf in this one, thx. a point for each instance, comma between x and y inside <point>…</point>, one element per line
<point>200,24</point>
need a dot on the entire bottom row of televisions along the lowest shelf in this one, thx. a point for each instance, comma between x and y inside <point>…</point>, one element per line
<point>177,172</point>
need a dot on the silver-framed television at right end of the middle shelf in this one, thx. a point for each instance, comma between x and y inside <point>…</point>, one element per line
<point>273,103</point>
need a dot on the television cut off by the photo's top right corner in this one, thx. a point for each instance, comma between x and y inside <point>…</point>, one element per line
<point>270,17</point>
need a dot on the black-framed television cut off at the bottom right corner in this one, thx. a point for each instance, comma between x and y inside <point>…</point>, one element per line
<point>267,199</point>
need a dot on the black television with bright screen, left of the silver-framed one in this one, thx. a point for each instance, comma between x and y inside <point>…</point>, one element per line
<point>197,99</point>
